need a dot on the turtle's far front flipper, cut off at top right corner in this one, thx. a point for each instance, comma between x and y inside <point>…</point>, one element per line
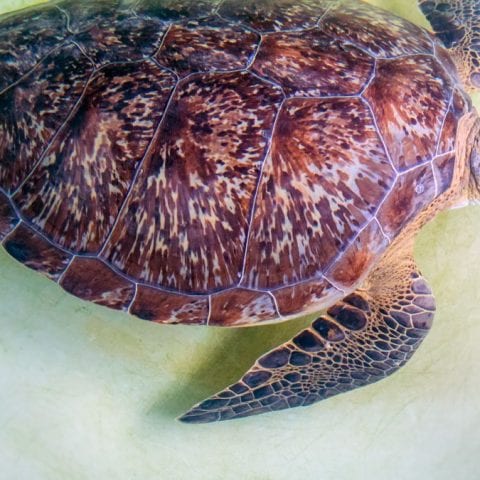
<point>457,24</point>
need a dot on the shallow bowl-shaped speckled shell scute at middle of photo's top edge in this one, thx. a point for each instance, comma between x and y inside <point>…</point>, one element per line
<point>275,15</point>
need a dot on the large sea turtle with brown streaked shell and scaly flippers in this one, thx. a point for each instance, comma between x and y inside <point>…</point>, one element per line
<point>235,163</point>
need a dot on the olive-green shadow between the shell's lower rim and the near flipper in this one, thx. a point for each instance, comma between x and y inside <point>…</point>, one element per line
<point>228,354</point>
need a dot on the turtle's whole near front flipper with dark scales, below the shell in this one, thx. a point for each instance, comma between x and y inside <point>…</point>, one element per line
<point>362,339</point>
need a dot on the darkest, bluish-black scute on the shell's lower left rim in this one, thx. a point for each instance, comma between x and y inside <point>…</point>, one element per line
<point>29,248</point>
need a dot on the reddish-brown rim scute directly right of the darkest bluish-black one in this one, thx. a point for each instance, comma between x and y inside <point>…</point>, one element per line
<point>92,280</point>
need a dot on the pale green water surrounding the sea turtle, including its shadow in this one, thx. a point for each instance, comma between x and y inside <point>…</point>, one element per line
<point>87,393</point>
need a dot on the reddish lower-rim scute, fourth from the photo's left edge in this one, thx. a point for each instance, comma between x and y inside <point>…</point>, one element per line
<point>165,307</point>
